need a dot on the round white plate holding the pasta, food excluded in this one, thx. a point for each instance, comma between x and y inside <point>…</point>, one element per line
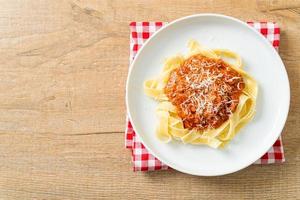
<point>260,60</point>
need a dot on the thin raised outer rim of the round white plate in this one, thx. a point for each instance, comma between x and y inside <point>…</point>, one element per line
<point>284,114</point>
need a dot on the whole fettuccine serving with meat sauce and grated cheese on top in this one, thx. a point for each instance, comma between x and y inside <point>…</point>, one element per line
<point>202,99</point>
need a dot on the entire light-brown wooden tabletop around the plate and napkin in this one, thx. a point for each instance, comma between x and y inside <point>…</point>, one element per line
<point>62,112</point>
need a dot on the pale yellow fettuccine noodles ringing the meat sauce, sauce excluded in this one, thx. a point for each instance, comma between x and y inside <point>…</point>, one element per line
<point>171,125</point>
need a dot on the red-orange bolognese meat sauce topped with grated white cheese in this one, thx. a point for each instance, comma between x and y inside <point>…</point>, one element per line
<point>205,91</point>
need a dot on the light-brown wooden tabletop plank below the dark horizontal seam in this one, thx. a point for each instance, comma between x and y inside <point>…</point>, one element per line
<point>47,166</point>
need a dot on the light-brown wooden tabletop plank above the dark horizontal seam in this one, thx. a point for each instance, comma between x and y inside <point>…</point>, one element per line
<point>66,71</point>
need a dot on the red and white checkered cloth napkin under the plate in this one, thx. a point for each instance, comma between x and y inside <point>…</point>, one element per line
<point>142,159</point>
